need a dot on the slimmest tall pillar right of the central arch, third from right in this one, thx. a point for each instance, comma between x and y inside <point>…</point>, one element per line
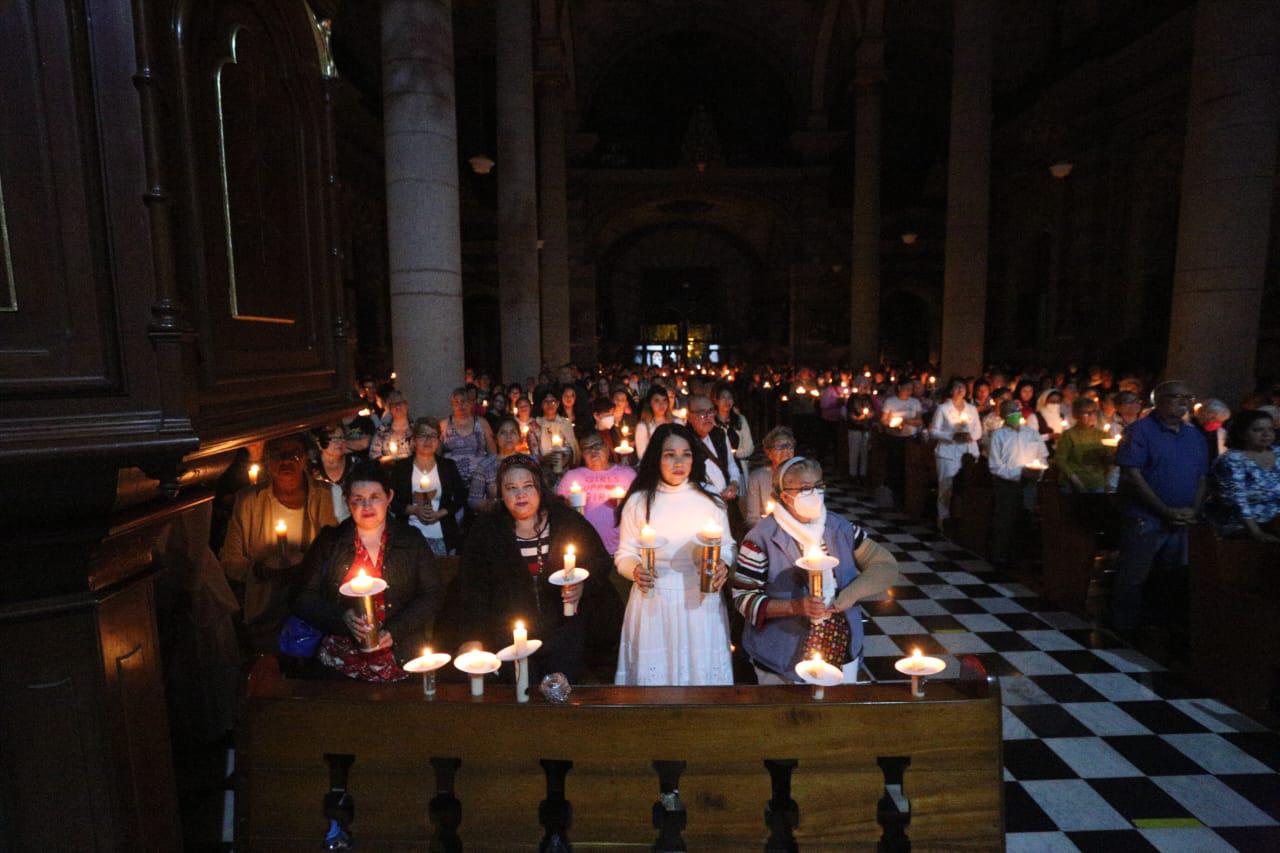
<point>865,267</point>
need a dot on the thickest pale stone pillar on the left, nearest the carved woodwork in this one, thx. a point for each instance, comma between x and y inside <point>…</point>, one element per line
<point>423,238</point>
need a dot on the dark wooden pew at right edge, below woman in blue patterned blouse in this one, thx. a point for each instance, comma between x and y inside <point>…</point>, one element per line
<point>1235,626</point>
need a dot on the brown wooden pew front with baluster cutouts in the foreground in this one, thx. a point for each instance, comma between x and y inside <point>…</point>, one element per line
<point>865,765</point>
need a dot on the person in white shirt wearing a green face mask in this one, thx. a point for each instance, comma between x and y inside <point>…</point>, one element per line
<point>1018,459</point>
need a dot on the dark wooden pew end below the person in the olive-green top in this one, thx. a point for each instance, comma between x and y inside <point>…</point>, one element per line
<point>1068,548</point>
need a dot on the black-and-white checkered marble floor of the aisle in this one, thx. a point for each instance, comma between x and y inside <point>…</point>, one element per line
<point>1104,749</point>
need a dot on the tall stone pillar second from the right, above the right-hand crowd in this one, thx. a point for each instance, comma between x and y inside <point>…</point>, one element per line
<point>964,280</point>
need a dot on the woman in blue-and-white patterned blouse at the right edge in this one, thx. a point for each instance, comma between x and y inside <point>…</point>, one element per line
<point>1247,481</point>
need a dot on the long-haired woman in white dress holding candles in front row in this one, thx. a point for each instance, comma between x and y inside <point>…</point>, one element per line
<point>675,635</point>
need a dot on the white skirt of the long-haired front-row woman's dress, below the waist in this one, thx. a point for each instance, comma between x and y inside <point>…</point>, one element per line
<point>675,637</point>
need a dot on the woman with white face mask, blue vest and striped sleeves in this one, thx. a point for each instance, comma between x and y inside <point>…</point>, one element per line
<point>784,622</point>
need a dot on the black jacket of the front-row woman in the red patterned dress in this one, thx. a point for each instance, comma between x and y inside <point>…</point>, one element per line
<point>414,591</point>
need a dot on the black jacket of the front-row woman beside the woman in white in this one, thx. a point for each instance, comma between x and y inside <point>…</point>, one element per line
<point>497,590</point>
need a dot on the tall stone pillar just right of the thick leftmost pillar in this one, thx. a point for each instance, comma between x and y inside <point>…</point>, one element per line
<point>519,309</point>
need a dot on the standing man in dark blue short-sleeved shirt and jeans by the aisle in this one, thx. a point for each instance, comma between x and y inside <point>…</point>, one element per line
<point>1164,464</point>
